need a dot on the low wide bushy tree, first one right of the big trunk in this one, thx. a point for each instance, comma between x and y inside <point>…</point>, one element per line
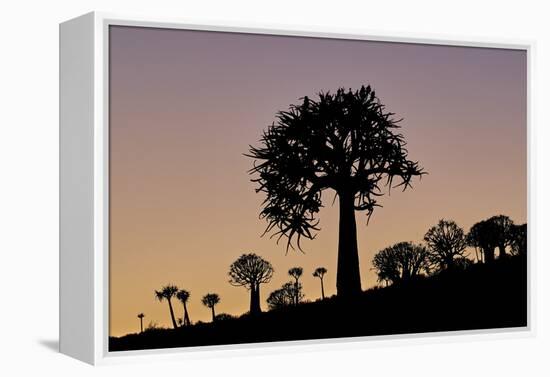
<point>401,262</point>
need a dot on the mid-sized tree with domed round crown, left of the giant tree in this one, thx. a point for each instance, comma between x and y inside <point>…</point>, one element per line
<point>250,271</point>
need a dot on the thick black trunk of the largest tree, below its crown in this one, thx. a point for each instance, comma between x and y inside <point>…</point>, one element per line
<point>348,280</point>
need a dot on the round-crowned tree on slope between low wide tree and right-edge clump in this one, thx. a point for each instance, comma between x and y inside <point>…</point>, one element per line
<point>447,242</point>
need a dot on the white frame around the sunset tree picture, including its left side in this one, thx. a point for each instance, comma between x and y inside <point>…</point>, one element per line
<point>84,200</point>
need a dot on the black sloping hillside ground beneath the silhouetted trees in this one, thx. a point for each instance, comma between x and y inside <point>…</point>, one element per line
<point>482,297</point>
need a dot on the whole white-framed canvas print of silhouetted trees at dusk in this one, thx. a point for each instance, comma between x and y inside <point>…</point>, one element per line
<point>226,187</point>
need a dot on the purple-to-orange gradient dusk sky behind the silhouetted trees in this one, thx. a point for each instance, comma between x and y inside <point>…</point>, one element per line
<point>185,105</point>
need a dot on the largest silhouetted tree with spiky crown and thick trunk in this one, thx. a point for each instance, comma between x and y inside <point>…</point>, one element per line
<point>344,141</point>
